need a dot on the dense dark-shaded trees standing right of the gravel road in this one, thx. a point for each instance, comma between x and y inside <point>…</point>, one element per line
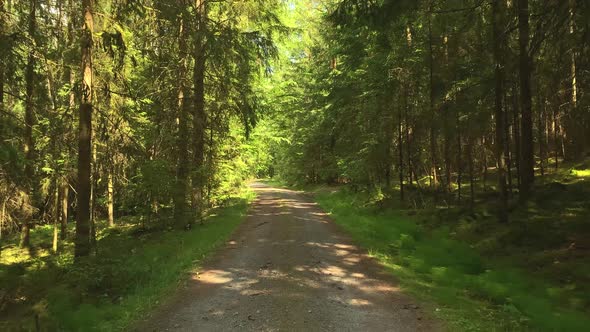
<point>442,93</point>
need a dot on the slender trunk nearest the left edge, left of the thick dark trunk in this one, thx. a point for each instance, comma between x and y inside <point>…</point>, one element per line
<point>29,146</point>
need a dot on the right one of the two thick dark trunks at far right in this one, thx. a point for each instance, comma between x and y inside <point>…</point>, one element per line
<point>527,164</point>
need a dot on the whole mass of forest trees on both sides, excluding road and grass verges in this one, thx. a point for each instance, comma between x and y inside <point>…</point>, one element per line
<point>151,114</point>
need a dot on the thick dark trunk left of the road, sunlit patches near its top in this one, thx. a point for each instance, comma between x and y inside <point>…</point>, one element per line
<point>83,240</point>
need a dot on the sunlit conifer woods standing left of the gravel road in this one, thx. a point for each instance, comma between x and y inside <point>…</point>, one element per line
<point>114,108</point>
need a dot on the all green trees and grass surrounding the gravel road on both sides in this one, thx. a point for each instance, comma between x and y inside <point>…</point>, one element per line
<point>456,131</point>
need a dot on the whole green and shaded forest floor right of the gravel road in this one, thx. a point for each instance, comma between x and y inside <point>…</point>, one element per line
<point>481,275</point>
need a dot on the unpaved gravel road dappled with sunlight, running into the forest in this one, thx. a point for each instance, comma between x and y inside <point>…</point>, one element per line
<point>288,267</point>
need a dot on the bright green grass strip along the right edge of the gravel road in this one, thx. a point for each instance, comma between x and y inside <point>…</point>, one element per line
<point>469,291</point>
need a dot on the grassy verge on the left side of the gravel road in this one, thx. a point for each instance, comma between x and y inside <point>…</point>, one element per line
<point>134,269</point>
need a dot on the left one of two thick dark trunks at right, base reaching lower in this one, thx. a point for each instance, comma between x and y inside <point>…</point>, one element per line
<point>498,45</point>
